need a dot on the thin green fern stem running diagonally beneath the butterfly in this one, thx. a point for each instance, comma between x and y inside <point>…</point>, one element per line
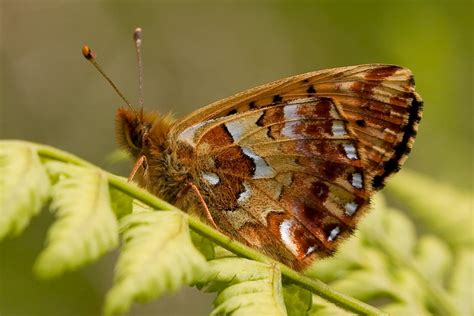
<point>315,286</point>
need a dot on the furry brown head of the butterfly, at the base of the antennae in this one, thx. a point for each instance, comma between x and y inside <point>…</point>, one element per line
<point>138,132</point>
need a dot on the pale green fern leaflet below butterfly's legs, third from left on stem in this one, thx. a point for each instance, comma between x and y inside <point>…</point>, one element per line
<point>158,257</point>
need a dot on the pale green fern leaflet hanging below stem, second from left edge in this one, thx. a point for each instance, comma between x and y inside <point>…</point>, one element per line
<point>86,226</point>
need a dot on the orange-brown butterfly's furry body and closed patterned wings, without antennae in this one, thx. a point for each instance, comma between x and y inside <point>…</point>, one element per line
<point>288,167</point>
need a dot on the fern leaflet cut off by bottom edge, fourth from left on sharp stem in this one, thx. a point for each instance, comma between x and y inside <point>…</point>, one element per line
<point>244,287</point>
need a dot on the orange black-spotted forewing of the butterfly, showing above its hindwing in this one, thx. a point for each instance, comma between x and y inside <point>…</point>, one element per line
<point>378,102</point>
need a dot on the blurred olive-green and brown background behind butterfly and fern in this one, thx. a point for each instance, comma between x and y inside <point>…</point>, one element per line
<point>196,52</point>
